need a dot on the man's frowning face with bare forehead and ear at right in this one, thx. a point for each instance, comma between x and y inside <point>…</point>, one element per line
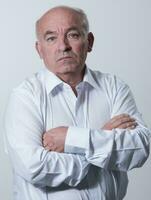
<point>62,43</point>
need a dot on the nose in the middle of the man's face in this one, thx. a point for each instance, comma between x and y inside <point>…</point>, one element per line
<point>64,44</point>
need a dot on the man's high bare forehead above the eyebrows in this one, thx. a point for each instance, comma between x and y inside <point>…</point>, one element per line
<point>59,19</point>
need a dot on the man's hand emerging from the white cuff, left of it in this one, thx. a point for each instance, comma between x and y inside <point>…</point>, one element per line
<point>54,139</point>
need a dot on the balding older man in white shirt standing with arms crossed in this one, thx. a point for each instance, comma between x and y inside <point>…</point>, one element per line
<point>71,132</point>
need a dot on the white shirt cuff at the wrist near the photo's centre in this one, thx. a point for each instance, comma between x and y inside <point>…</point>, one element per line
<point>77,140</point>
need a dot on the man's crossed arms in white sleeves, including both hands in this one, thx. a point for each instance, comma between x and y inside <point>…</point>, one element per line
<point>113,147</point>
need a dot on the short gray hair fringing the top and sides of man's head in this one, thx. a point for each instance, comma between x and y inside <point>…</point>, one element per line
<point>80,12</point>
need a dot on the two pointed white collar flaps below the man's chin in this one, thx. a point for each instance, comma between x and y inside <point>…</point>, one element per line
<point>52,81</point>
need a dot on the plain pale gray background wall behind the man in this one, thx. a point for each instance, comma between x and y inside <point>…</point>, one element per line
<point>122,30</point>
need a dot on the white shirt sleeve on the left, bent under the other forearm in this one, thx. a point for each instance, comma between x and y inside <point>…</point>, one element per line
<point>24,129</point>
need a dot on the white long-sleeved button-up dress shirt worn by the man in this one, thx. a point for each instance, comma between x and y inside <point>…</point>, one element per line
<point>95,161</point>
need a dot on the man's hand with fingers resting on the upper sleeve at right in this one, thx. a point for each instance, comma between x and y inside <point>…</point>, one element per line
<point>123,121</point>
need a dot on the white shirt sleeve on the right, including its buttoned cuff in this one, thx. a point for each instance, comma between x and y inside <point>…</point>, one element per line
<point>118,149</point>
